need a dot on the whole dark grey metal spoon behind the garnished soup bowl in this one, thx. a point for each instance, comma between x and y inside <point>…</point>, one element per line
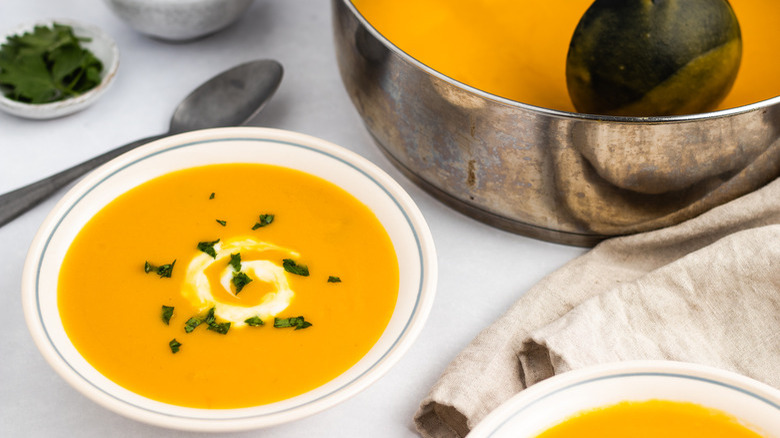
<point>231,98</point>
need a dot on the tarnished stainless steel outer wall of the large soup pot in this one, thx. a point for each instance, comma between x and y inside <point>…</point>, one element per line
<point>564,177</point>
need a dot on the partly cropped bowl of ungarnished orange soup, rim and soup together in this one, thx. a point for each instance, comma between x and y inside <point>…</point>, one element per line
<point>639,398</point>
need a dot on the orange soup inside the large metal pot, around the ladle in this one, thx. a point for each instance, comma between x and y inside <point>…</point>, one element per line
<point>517,48</point>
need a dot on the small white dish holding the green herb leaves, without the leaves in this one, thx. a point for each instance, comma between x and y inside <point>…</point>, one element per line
<point>100,44</point>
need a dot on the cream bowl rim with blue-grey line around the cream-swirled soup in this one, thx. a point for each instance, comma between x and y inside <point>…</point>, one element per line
<point>393,207</point>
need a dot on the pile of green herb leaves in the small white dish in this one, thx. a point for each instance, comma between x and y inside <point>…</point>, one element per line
<point>47,64</point>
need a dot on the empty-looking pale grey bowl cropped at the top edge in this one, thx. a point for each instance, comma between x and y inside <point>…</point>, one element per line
<point>178,20</point>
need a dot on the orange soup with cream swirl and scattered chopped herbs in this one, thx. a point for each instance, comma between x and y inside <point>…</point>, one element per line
<point>228,286</point>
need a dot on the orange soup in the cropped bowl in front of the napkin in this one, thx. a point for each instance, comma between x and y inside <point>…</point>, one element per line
<point>651,419</point>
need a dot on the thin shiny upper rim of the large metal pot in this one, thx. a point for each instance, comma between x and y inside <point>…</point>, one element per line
<point>552,112</point>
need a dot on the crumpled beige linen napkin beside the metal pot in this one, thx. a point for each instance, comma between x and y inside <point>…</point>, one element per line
<point>704,291</point>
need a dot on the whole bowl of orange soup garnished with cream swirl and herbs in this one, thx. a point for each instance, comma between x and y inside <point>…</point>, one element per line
<point>229,279</point>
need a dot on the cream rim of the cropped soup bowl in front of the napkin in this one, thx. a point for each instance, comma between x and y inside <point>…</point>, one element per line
<point>551,401</point>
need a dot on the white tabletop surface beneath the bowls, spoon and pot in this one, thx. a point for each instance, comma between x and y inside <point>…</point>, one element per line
<point>483,270</point>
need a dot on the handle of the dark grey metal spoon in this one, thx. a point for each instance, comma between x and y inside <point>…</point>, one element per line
<point>16,202</point>
